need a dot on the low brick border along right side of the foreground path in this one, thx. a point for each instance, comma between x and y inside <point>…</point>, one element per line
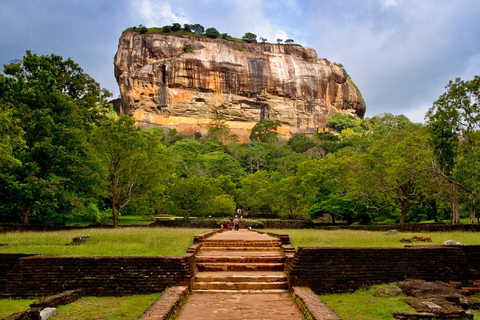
<point>311,305</point>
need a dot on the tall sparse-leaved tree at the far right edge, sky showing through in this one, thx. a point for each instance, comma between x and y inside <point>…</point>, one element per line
<point>453,120</point>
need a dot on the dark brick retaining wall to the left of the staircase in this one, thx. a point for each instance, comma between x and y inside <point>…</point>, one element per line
<point>46,275</point>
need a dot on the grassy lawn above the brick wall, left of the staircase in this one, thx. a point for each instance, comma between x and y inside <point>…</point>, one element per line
<point>133,241</point>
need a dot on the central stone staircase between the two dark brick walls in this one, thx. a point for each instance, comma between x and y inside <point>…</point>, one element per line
<point>226,264</point>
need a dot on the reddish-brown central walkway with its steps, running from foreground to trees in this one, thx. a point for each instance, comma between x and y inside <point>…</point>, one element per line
<point>241,245</point>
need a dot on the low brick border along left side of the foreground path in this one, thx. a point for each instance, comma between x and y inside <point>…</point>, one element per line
<point>168,305</point>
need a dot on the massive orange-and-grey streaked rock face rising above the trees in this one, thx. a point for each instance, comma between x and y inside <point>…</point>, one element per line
<point>183,82</point>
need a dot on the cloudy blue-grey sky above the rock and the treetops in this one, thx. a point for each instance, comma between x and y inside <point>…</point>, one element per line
<point>400,53</point>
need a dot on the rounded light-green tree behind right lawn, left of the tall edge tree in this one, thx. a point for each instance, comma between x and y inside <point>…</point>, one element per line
<point>388,175</point>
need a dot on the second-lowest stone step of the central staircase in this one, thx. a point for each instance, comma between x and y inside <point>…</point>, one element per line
<point>258,276</point>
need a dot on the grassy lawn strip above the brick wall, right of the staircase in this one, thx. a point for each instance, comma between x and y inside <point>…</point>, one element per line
<point>354,238</point>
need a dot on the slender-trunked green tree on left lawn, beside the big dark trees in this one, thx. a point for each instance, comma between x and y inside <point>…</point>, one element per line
<point>132,162</point>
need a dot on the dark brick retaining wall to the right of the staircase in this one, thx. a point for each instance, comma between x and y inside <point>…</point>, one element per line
<point>332,269</point>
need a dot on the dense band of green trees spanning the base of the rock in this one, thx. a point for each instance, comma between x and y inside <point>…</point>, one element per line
<point>62,157</point>
